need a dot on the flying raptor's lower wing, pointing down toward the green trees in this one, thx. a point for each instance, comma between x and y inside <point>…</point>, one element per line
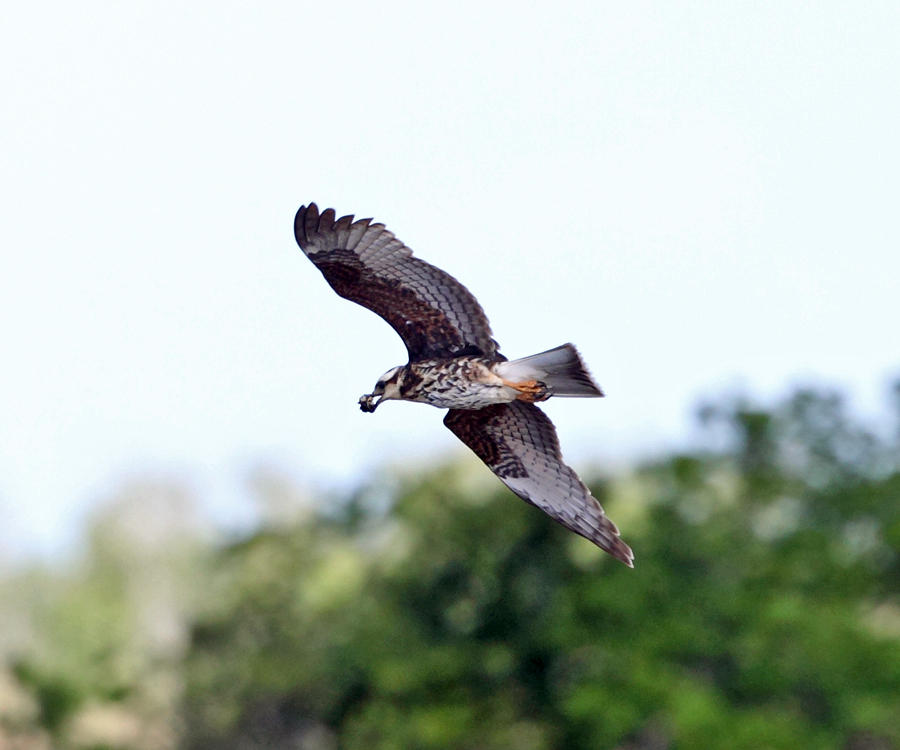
<point>518,443</point>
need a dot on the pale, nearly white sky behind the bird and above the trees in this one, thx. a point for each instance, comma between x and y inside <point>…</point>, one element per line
<point>702,196</point>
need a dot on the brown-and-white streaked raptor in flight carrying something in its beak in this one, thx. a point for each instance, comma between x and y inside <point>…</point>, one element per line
<point>455,363</point>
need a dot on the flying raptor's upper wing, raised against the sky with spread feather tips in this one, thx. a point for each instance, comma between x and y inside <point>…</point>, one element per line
<point>434,314</point>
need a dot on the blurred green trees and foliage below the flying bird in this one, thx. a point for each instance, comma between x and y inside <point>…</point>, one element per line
<point>435,610</point>
